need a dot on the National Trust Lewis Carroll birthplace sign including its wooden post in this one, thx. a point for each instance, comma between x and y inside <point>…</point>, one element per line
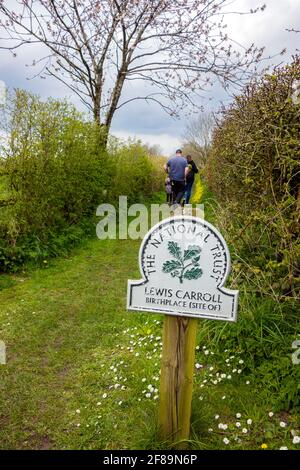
<point>184,262</point>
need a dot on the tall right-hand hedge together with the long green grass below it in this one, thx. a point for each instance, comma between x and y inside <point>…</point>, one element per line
<point>253,172</point>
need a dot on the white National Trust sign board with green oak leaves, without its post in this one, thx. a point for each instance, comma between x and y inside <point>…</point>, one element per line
<point>184,262</point>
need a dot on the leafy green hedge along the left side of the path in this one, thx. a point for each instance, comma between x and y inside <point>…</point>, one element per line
<point>54,172</point>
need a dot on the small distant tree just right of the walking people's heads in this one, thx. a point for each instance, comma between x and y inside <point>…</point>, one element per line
<point>197,137</point>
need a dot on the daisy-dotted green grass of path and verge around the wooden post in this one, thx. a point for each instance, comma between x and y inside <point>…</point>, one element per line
<point>79,366</point>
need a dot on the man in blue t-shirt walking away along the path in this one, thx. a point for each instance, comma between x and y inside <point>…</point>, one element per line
<point>177,168</point>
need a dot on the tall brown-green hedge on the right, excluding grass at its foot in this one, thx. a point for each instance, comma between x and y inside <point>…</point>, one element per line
<point>254,171</point>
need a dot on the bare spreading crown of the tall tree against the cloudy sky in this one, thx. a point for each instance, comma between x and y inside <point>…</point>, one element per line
<point>177,47</point>
